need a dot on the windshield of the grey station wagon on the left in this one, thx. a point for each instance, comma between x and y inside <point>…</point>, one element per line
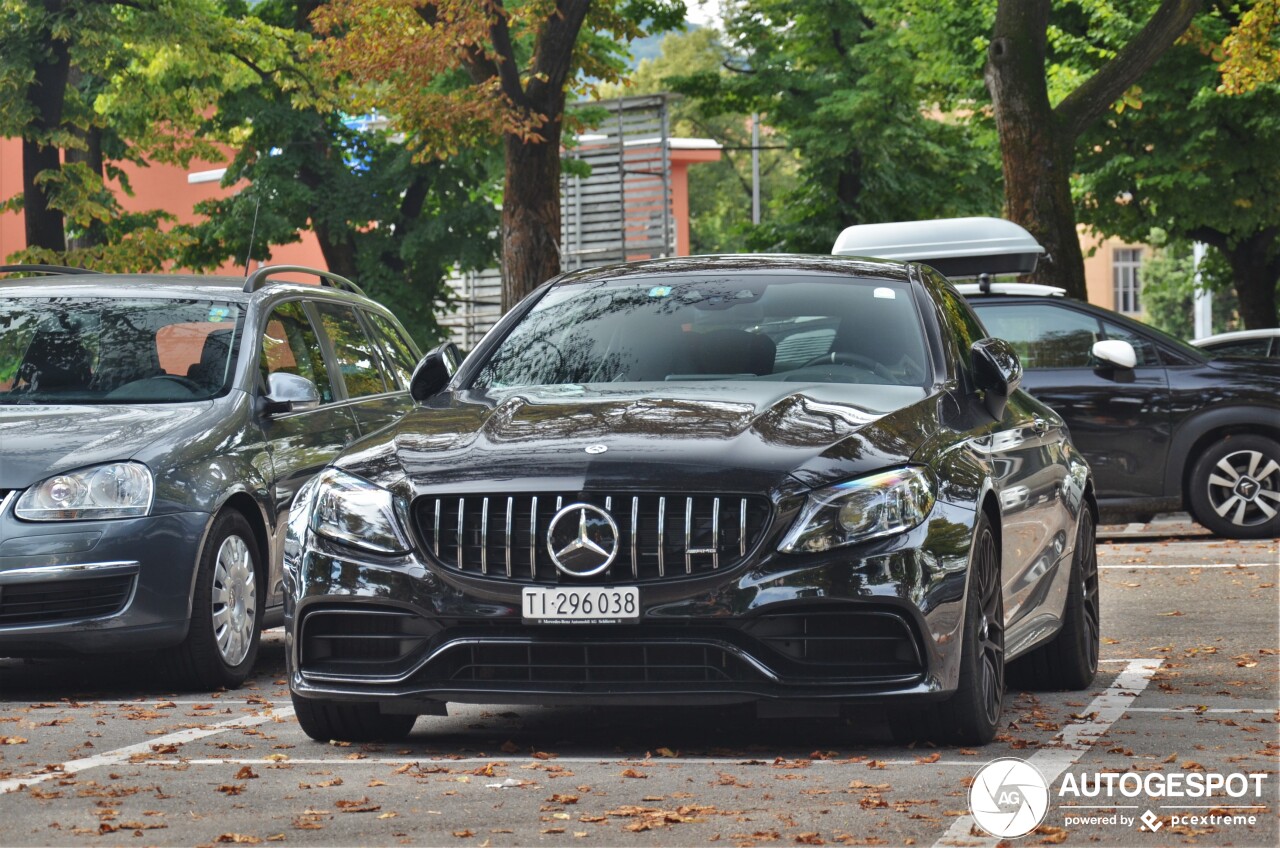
<point>86,350</point>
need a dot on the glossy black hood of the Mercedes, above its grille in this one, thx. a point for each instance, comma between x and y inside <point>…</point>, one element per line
<point>715,437</point>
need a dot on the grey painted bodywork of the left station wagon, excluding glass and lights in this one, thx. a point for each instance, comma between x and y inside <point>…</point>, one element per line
<point>231,453</point>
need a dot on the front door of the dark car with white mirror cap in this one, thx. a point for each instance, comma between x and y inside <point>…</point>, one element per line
<point>1119,418</point>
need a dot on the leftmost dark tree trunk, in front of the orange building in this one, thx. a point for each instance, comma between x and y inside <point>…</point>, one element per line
<point>47,93</point>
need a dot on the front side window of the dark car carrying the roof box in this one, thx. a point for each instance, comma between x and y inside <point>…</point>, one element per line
<point>1044,336</point>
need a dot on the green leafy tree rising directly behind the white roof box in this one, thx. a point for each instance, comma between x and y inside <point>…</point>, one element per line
<point>840,81</point>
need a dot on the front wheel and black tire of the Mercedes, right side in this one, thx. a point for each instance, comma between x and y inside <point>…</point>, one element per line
<point>972,714</point>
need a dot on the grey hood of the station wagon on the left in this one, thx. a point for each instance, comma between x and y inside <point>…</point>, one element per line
<point>40,441</point>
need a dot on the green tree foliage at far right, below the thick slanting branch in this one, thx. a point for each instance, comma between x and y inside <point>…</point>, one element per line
<point>1197,163</point>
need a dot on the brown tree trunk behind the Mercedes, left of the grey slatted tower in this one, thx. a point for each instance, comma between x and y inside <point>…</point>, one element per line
<point>531,213</point>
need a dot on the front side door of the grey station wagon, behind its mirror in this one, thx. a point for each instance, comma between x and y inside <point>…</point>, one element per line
<point>305,441</point>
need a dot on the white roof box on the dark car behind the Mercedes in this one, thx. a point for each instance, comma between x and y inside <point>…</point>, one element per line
<point>956,247</point>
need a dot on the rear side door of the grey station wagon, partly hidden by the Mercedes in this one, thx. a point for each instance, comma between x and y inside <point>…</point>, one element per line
<point>374,393</point>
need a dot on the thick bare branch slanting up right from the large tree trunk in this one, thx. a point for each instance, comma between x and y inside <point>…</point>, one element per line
<point>1091,101</point>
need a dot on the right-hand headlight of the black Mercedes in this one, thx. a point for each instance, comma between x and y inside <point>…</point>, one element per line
<point>860,510</point>
